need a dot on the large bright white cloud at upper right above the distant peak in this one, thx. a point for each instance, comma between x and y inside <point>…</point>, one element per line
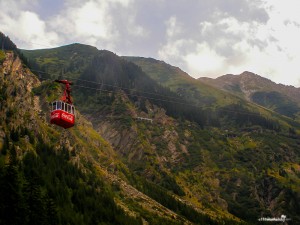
<point>229,45</point>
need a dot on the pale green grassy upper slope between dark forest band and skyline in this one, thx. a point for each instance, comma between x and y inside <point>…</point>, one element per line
<point>206,95</point>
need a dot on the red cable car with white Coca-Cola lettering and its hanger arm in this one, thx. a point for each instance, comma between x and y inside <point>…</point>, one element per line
<point>63,111</point>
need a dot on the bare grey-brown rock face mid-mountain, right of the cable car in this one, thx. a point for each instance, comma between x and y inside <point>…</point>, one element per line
<point>135,145</point>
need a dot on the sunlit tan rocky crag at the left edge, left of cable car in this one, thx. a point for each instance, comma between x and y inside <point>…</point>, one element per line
<point>16,83</point>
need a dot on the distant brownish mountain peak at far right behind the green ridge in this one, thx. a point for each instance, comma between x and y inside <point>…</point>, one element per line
<point>278,97</point>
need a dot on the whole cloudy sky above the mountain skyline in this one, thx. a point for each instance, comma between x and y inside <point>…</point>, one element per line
<point>206,38</point>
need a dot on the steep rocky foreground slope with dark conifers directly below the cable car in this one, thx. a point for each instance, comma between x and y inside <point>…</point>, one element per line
<point>42,164</point>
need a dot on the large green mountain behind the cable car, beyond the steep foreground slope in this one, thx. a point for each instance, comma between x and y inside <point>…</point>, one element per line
<point>242,166</point>
